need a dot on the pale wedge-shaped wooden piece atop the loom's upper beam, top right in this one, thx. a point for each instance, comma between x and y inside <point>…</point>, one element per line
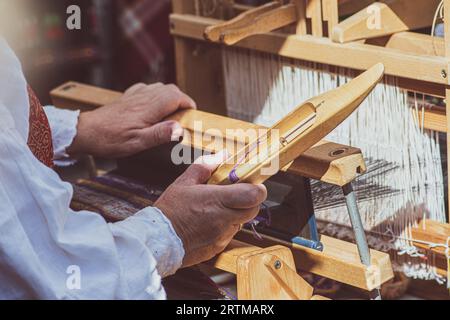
<point>384,18</point>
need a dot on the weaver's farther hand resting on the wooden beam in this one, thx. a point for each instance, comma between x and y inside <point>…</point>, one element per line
<point>131,124</point>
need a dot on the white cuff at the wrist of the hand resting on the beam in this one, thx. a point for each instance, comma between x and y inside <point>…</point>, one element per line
<point>63,124</point>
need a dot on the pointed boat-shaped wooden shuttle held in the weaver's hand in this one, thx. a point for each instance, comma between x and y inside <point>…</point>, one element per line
<point>332,108</point>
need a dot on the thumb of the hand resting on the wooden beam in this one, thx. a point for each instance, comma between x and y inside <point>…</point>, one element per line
<point>161,133</point>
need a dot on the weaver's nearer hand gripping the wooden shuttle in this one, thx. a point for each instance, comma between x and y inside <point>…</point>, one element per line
<point>207,217</point>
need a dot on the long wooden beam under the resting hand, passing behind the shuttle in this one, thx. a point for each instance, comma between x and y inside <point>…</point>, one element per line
<point>329,162</point>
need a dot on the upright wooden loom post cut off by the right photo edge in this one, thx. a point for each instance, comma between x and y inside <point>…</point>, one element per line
<point>447,91</point>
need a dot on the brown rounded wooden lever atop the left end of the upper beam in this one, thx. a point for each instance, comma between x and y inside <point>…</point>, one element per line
<point>266,18</point>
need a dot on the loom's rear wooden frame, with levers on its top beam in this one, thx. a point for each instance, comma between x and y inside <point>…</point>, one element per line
<point>330,32</point>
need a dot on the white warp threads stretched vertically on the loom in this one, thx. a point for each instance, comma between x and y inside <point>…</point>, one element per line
<point>404,181</point>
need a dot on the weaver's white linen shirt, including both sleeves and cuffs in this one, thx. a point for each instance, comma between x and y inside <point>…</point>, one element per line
<point>48,251</point>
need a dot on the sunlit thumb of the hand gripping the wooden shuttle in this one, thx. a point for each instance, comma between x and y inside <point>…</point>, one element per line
<point>201,170</point>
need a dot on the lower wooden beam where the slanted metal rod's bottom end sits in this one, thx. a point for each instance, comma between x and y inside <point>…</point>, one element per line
<point>339,261</point>
